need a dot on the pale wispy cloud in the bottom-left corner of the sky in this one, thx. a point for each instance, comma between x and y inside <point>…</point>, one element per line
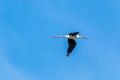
<point>11,72</point>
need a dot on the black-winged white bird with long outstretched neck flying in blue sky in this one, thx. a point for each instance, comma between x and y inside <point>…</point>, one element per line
<point>71,40</point>
